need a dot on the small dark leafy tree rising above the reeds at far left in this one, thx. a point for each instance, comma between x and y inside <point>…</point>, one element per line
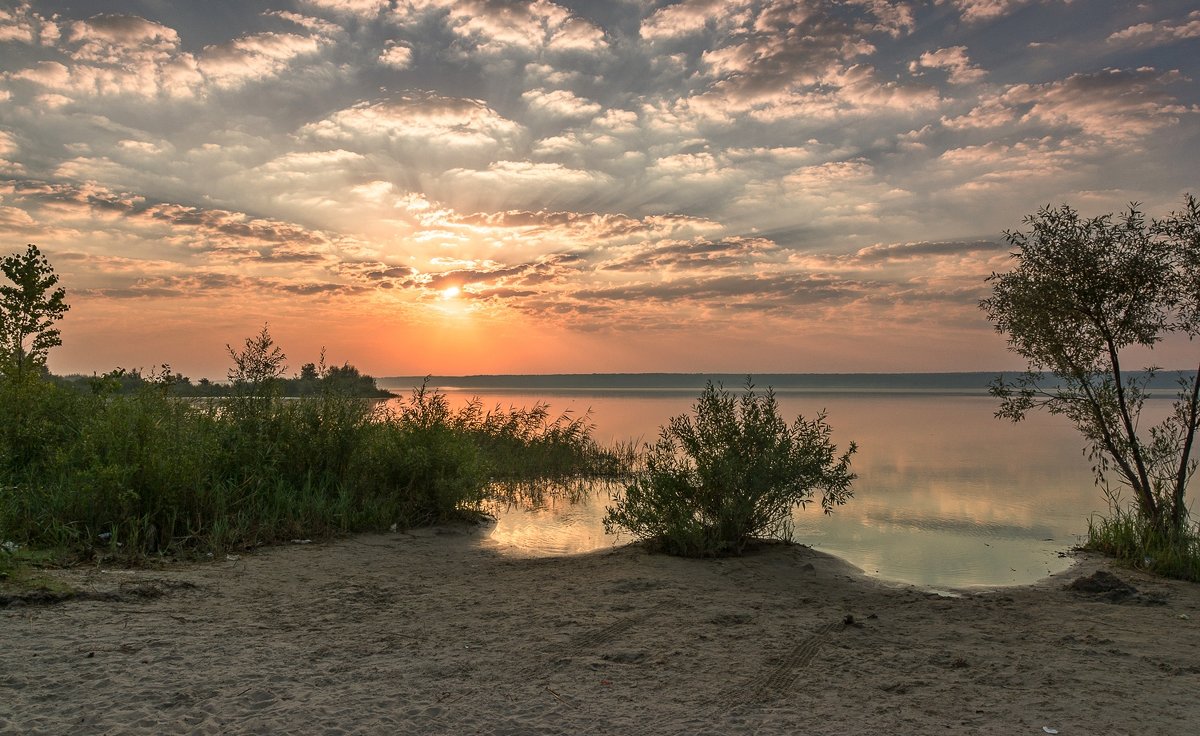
<point>29,308</point>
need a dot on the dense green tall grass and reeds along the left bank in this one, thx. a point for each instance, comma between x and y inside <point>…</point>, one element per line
<point>148,472</point>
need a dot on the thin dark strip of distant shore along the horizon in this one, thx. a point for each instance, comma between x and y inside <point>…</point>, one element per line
<point>951,382</point>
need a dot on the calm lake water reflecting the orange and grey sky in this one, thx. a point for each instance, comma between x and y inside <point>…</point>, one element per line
<point>946,496</point>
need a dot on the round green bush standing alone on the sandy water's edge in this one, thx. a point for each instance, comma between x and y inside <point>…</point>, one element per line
<point>729,475</point>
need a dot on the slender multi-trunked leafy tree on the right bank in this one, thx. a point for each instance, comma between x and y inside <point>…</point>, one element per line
<point>1083,292</point>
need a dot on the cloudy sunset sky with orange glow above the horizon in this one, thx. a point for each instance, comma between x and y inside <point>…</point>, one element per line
<point>493,187</point>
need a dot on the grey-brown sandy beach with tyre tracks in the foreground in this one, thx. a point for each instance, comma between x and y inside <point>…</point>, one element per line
<point>442,632</point>
